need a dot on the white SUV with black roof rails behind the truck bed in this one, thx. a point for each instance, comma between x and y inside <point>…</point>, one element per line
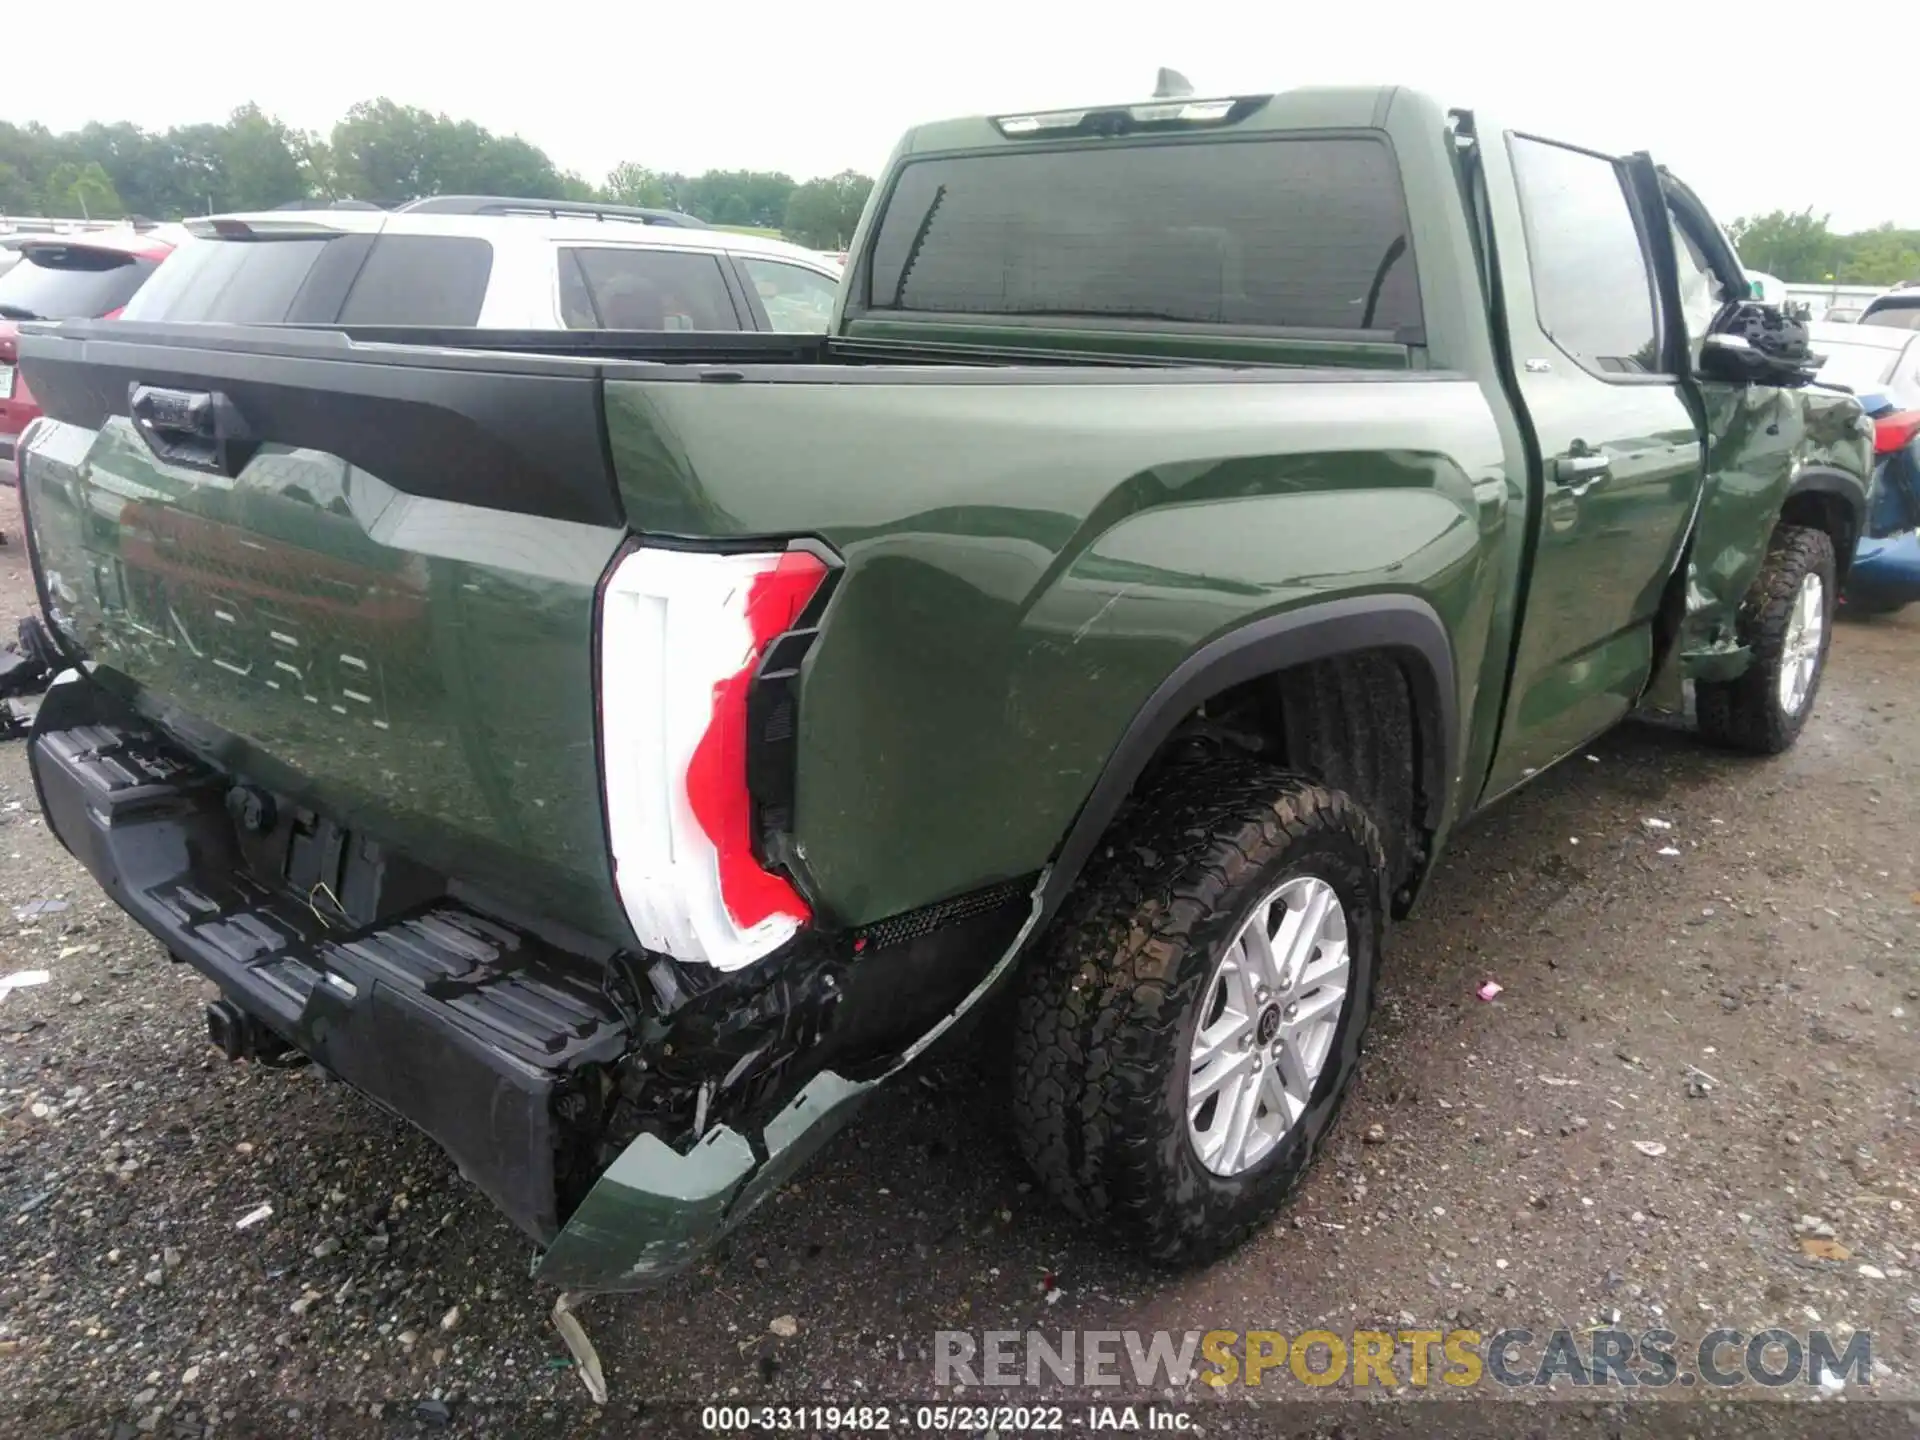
<point>489,262</point>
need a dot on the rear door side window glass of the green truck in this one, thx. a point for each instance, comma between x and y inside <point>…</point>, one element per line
<point>1591,270</point>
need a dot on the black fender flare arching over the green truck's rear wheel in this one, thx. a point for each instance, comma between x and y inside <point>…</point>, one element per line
<point>1326,631</point>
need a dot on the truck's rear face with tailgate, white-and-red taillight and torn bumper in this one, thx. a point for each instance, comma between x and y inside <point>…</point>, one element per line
<point>395,731</point>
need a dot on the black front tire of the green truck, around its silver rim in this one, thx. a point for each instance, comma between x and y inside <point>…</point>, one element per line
<point>1748,713</point>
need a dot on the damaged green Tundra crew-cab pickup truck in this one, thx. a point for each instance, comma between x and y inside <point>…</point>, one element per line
<point>619,754</point>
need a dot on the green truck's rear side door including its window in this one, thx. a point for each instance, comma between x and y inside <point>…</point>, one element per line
<point>1618,443</point>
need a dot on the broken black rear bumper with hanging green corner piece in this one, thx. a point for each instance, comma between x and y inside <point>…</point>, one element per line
<point>485,1036</point>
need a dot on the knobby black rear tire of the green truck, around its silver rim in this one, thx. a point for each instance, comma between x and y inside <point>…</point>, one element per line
<point>1107,1009</point>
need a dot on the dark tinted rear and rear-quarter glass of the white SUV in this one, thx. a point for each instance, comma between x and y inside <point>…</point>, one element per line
<point>314,277</point>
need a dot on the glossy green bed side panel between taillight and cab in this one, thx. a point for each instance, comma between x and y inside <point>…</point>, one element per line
<point>1026,562</point>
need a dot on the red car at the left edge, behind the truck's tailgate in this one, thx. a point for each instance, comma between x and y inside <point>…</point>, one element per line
<point>64,277</point>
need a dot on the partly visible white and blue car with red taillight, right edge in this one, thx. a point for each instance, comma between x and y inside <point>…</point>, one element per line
<point>1881,366</point>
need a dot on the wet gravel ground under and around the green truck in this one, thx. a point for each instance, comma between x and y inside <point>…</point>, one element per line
<point>1744,1011</point>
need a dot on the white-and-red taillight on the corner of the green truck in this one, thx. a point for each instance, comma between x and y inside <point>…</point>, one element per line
<point>681,636</point>
